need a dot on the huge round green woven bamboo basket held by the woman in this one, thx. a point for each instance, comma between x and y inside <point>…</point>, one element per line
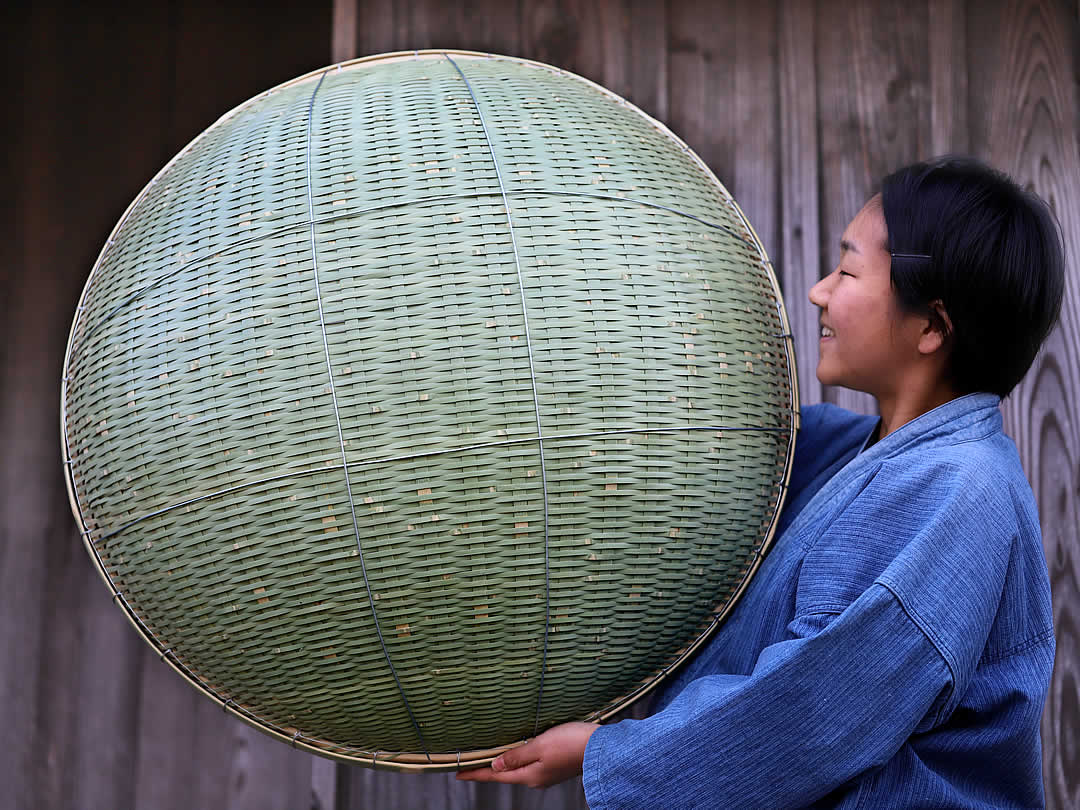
<point>426,402</point>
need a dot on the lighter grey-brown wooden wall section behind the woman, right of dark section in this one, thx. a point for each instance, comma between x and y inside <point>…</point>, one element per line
<point>801,109</point>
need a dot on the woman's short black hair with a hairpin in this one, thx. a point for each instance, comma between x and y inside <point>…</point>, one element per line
<point>965,234</point>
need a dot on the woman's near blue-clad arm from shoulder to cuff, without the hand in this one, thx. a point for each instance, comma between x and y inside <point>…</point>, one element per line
<point>859,671</point>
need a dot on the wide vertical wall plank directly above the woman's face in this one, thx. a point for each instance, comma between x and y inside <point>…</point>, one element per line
<point>873,97</point>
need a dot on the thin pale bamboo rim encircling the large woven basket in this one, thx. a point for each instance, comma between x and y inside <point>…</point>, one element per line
<point>414,762</point>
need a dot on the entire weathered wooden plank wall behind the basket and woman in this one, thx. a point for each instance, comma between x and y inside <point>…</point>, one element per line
<point>799,107</point>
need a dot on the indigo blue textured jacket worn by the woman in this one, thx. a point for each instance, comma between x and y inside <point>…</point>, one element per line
<point>894,651</point>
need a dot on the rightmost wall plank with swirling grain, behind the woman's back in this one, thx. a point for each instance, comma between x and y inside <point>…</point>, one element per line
<point>1024,107</point>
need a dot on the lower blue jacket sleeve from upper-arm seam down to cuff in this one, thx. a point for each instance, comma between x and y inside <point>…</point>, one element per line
<point>838,698</point>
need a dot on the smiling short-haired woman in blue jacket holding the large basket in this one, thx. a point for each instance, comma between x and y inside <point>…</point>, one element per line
<point>898,643</point>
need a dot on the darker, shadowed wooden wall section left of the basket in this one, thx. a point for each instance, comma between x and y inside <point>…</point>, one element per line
<point>101,97</point>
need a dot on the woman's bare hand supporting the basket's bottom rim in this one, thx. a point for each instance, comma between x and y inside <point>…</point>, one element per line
<point>545,761</point>
